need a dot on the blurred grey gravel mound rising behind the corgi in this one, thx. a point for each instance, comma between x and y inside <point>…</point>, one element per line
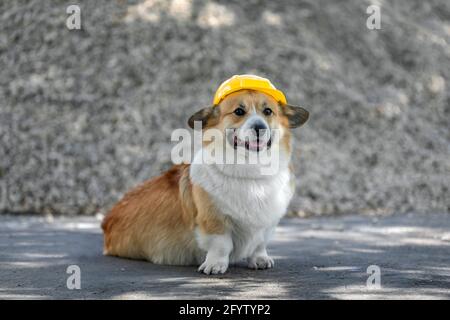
<point>86,114</point>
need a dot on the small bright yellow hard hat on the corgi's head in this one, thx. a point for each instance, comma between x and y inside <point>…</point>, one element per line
<point>248,81</point>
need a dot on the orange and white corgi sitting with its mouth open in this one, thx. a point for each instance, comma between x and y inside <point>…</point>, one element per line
<point>214,214</point>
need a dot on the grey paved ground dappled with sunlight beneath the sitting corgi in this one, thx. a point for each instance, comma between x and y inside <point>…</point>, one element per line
<point>316,258</point>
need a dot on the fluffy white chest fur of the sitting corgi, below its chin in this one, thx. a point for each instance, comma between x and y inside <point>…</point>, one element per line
<point>254,203</point>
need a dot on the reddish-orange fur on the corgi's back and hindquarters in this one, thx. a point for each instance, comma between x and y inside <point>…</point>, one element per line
<point>150,223</point>
